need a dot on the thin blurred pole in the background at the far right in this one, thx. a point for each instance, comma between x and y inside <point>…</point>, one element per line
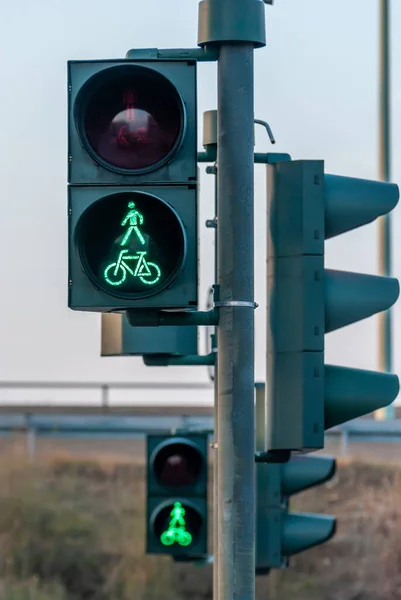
<point>384,224</point>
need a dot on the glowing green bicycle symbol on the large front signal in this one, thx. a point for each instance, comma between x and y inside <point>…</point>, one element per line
<point>116,273</point>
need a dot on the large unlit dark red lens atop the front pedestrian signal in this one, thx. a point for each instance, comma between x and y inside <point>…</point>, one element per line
<point>132,118</point>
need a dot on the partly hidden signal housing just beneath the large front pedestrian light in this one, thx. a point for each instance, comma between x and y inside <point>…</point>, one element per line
<point>119,338</point>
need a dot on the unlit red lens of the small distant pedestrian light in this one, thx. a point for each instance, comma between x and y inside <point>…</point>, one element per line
<point>178,465</point>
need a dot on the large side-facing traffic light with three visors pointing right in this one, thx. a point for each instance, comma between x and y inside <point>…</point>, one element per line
<point>305,301</point>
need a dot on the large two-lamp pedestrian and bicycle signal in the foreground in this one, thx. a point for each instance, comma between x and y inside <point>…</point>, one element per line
<point>133,176</point>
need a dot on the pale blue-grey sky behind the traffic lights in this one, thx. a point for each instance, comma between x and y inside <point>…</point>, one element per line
<point>316,83</point>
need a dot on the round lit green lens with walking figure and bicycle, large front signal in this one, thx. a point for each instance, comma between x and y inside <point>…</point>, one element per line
<point>131,244</point>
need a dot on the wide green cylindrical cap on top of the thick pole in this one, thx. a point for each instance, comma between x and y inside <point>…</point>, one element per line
<point>224,21</point>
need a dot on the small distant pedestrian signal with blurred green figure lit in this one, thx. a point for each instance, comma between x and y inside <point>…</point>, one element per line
<point>177,471</point>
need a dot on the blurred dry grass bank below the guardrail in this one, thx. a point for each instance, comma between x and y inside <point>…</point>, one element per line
<point>73,529</point>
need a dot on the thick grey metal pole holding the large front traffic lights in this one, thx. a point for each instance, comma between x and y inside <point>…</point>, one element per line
<point>235,427</point>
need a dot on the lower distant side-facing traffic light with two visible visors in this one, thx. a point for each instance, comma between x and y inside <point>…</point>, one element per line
<point>280,533</point>
